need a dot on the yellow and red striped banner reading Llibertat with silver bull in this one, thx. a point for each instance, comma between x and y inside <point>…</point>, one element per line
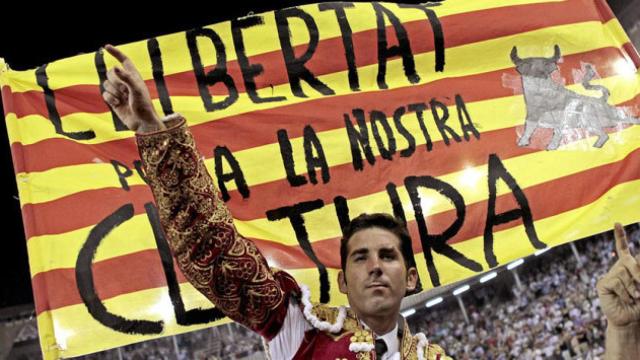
<point>494,128</point>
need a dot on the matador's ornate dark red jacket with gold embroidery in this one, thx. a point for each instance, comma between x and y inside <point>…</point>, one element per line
<point>231,272</point>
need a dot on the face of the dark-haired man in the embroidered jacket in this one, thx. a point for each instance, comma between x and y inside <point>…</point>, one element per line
<point>375,278</point>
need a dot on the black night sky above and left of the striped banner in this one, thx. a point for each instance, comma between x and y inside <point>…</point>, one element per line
<point>31,40</point>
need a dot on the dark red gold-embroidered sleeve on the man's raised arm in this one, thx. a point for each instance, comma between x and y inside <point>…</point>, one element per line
<point>226,267</point>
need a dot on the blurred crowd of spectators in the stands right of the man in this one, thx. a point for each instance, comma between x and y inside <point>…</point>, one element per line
<point>555,315</point>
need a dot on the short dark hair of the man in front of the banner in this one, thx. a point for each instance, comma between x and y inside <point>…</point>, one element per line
<point>383,221</point>
